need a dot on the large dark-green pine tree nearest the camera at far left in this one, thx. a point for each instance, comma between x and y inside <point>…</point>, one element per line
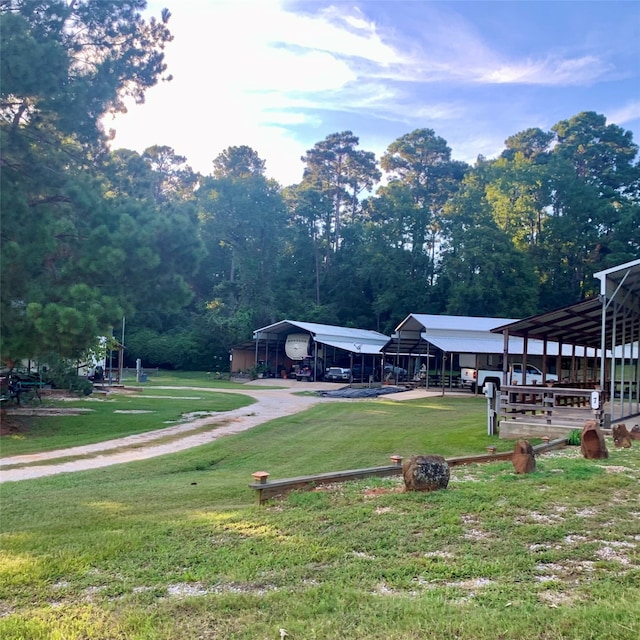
<point>63,66</point>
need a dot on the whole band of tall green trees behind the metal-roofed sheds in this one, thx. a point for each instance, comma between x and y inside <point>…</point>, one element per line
<point>196,262</point>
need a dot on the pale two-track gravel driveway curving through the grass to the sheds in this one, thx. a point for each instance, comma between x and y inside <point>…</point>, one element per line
<point>271,404</point>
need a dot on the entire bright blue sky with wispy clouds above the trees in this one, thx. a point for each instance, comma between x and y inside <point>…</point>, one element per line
<point>280,75</point>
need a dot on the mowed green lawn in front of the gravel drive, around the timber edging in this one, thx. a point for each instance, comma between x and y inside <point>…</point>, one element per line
<point>175,548</point>
